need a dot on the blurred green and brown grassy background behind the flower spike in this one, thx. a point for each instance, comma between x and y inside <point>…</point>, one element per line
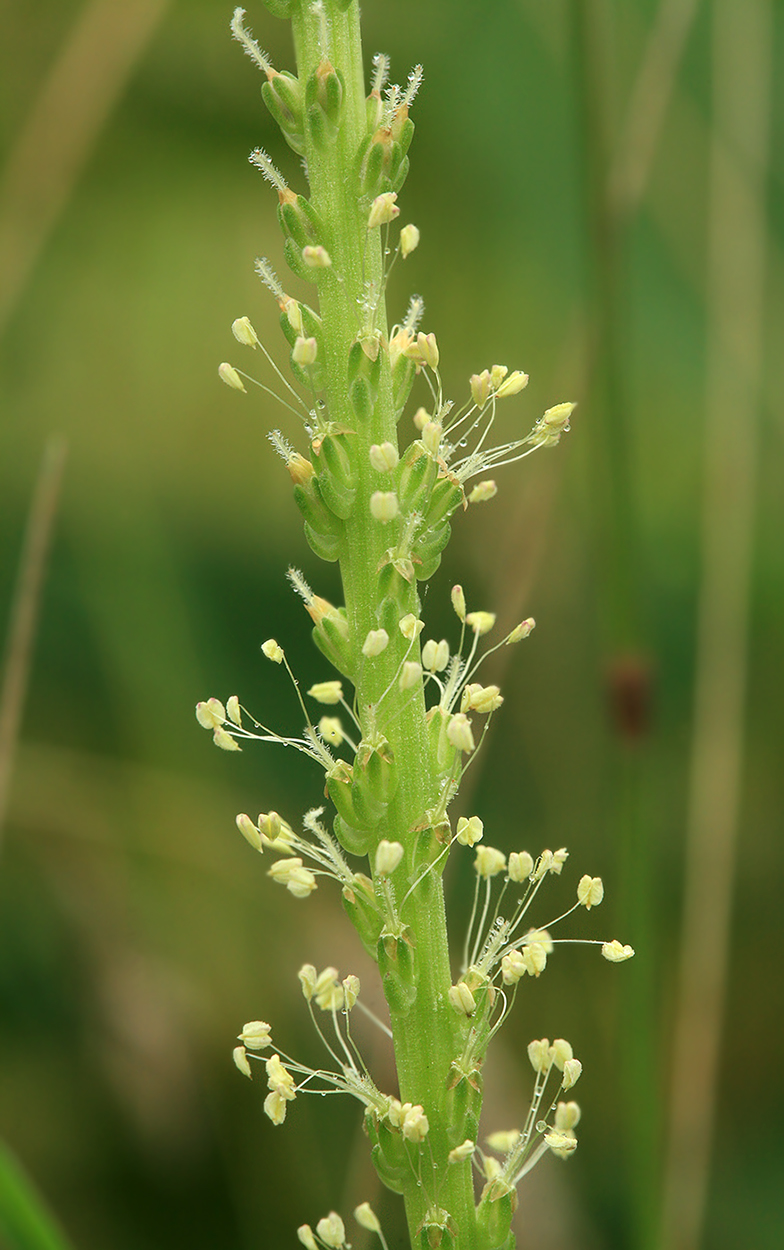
<point>137,931</point>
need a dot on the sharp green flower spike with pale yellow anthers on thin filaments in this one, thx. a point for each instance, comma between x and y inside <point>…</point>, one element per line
<point>381,506</point>
